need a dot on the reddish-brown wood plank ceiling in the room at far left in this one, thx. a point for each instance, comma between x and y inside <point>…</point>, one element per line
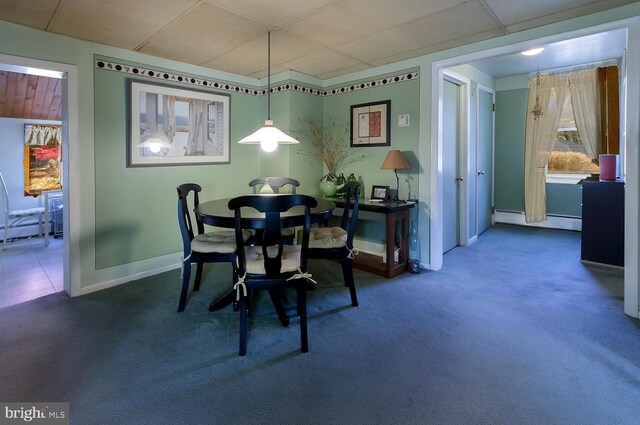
<point>30,96</point>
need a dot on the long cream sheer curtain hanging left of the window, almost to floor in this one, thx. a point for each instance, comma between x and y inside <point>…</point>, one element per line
<point>549,93</point>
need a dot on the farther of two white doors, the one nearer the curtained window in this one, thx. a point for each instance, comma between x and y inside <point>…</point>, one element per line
<point>484,168</point>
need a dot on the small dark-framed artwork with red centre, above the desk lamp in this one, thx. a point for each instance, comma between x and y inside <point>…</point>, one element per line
<point>371,124</point>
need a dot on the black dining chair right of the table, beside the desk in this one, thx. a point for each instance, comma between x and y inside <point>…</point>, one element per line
<point>337,242</point>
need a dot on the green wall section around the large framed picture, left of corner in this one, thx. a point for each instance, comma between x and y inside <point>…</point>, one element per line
<point>135,202</point>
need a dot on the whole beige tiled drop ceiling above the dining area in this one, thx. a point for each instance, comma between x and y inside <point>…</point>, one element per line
<point>322,38</point>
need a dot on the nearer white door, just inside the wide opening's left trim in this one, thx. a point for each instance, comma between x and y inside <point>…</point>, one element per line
<point>450,167</point>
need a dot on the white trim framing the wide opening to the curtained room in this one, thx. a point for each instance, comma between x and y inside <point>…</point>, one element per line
<point>631,103</point>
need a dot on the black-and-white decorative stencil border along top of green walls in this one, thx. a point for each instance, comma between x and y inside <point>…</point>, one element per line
<point>164,75</point>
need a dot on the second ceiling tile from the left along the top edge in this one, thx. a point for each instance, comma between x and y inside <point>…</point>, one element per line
<point>116,22</point>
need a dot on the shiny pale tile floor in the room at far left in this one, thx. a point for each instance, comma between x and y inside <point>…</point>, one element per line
<point>30,270</point>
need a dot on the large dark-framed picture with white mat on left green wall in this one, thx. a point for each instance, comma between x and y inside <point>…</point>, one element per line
<point>188,127</point>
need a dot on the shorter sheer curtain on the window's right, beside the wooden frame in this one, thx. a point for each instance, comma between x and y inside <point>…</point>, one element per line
<point>585,100</point>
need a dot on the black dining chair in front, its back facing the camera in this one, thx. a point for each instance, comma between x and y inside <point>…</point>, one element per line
<point>273,265</point>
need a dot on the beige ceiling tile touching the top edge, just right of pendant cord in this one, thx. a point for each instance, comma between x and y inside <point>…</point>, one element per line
<point>350,20</point>
